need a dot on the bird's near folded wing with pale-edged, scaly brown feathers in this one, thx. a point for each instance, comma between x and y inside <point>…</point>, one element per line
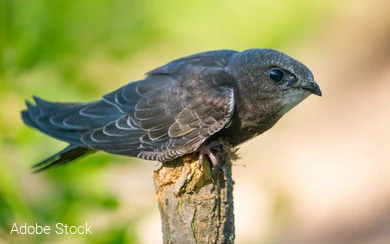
<point>164,116</point>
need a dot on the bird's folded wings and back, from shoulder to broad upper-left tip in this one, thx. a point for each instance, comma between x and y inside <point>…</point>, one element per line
<point>168,114</point>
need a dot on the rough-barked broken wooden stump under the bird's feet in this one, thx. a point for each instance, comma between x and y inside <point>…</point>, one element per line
<point>196,202</point>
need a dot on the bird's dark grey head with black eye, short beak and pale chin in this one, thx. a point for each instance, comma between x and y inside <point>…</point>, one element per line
<point>270,73</point>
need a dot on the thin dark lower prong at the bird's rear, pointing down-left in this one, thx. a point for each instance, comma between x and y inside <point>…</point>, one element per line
<point>65,156</point>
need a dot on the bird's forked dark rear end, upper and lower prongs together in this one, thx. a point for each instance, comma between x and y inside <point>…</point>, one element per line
<point>64,121</point>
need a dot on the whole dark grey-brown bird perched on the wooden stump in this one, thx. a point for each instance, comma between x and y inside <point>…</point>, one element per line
<point>179,108</point>
